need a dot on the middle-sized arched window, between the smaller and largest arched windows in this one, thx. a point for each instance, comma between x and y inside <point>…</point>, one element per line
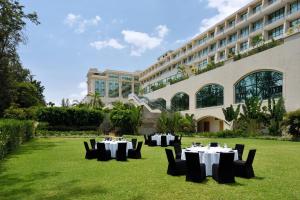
<point>209,96</point>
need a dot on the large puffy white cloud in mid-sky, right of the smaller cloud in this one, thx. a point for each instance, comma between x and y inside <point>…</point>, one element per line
<point>141,42</point>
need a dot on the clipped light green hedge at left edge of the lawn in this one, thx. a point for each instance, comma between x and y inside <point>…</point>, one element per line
<point>13,133</point>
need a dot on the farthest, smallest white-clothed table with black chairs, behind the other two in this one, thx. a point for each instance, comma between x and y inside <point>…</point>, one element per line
<point>162,139</point>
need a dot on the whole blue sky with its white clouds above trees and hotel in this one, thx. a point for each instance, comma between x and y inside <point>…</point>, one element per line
<point>75,35</point>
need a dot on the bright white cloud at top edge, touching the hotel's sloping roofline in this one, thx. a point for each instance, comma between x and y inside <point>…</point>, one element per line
<point>224,8</point>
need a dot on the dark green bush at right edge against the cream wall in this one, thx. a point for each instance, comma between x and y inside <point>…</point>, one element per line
<point>292,123</point>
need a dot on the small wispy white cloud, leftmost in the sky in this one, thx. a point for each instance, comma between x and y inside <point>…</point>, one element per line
<point>79,23</point>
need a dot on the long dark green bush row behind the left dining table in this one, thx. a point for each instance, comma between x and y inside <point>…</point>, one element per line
<point>61,118</point>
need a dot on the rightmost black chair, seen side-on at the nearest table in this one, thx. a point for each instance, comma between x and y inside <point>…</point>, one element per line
<point>244,168</point>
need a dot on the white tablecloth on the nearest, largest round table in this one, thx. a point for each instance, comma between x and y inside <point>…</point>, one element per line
<point>208,156</point>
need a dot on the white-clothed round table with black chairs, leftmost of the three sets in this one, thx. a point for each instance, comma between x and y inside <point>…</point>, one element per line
<point>117,148</point>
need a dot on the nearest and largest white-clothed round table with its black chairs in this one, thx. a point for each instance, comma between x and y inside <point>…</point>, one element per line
<point>221,162</point>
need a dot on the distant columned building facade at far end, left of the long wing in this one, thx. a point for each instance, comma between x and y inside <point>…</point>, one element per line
<point>112,85</point>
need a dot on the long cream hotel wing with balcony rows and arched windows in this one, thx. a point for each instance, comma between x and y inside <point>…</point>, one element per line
<point>253,52</point>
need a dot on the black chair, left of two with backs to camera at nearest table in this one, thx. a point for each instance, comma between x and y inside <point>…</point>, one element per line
<point>195,171</point>
